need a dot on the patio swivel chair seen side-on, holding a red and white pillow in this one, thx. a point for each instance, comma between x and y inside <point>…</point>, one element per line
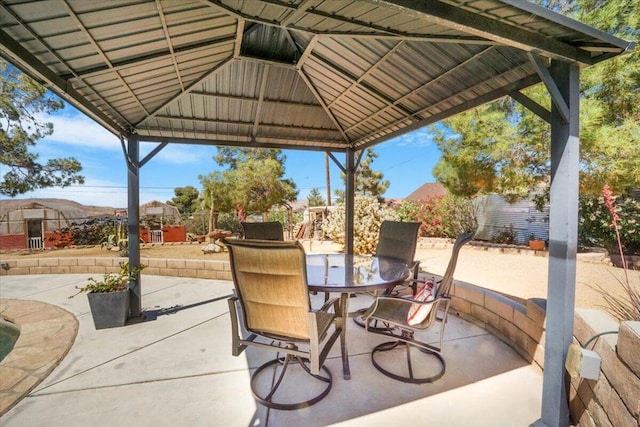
<point>405,316</point>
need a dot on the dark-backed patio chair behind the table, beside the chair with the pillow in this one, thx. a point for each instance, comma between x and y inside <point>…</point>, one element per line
<point>398,240</point>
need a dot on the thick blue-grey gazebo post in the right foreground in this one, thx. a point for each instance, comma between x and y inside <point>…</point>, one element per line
<point>563,241</point>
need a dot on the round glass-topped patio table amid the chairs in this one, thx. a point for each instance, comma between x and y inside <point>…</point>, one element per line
<point>349,274</point>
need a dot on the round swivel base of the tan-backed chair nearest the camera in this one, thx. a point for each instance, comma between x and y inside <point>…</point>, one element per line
<point>269,399</point>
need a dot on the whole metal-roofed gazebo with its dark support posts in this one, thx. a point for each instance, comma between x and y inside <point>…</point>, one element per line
<point>332,76</point>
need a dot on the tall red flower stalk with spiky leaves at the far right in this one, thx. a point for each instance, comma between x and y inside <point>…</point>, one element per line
<point>628,308</point>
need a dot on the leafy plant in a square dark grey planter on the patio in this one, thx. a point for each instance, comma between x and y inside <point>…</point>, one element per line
<point>109,296</point>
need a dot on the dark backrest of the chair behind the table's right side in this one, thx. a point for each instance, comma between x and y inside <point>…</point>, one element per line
<point>398,240</point>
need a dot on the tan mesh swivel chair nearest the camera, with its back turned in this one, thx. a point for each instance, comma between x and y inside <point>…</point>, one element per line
<point>272,300</point>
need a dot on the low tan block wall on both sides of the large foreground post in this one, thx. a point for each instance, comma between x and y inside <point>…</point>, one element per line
<point>613,400</point>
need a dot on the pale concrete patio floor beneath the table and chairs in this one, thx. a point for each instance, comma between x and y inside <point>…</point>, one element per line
<point>176,368</point>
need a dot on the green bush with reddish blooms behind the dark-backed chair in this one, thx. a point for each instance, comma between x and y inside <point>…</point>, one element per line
<point>441,216</point>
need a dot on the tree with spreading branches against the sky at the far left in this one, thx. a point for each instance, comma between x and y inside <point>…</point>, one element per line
<point>21,101</point>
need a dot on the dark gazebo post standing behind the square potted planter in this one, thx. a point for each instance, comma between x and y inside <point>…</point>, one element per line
<point>133,220</point>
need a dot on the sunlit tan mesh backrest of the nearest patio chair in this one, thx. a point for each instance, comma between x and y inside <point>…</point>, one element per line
<point>270,279</point>
